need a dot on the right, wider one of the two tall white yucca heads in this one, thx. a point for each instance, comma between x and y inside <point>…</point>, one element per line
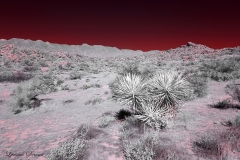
<point>168,87</point>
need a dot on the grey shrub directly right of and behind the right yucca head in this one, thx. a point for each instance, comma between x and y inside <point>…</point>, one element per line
<point>199,84</point>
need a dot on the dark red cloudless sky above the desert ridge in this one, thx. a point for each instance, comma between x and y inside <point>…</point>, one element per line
<point>125,24</point>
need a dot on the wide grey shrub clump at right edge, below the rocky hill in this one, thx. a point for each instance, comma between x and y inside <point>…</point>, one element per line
<point>221,70</point>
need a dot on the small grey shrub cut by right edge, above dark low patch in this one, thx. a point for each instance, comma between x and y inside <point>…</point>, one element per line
<point>233,90</point>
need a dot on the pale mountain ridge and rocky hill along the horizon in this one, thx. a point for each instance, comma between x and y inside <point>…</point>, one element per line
<point>99,50</point>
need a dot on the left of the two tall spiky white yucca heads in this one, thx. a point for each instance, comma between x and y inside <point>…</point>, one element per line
<point>130,89</point>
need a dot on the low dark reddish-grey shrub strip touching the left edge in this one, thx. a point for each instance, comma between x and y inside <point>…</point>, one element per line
<point>9,76</point>
